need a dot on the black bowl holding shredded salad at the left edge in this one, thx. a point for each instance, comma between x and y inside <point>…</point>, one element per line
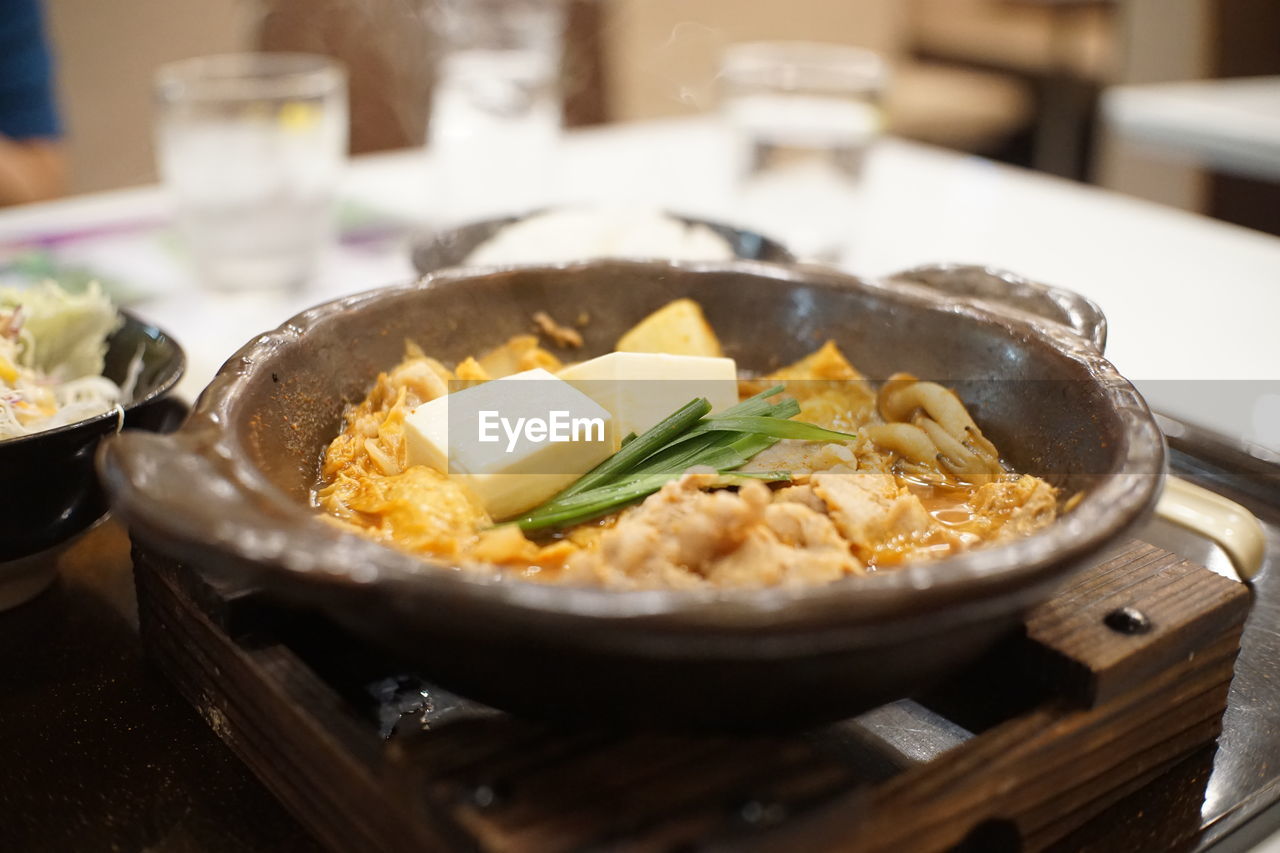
<point>51,491</point>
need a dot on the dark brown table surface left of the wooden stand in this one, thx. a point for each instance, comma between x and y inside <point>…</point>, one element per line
<point>98,751</point>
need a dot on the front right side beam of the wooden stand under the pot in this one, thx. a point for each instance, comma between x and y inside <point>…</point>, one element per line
<point>1054,765</point>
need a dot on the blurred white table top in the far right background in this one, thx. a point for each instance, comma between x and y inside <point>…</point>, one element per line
<point>1232,125</point>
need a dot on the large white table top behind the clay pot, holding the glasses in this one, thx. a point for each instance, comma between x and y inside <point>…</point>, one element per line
<point>1192,303</point>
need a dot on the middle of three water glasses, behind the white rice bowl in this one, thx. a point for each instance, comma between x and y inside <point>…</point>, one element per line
<point>496,108</point>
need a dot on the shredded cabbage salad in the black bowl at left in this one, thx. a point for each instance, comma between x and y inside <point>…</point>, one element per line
<point>52,350</point>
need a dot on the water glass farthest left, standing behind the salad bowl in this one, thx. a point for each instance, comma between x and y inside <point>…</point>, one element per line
<point>253,148</point>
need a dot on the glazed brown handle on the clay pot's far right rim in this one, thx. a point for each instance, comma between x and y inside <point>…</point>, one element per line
<point>1066,308</point>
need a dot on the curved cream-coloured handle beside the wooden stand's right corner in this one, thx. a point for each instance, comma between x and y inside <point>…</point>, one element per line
<point>1220,521</point>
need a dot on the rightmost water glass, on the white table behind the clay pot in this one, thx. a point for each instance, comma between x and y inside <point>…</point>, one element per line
<point>804,117</point>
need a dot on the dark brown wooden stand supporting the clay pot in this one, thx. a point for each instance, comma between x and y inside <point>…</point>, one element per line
<point>1121,677</point>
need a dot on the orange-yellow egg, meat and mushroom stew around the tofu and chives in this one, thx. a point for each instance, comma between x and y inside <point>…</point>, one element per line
<point>918,482</point>
